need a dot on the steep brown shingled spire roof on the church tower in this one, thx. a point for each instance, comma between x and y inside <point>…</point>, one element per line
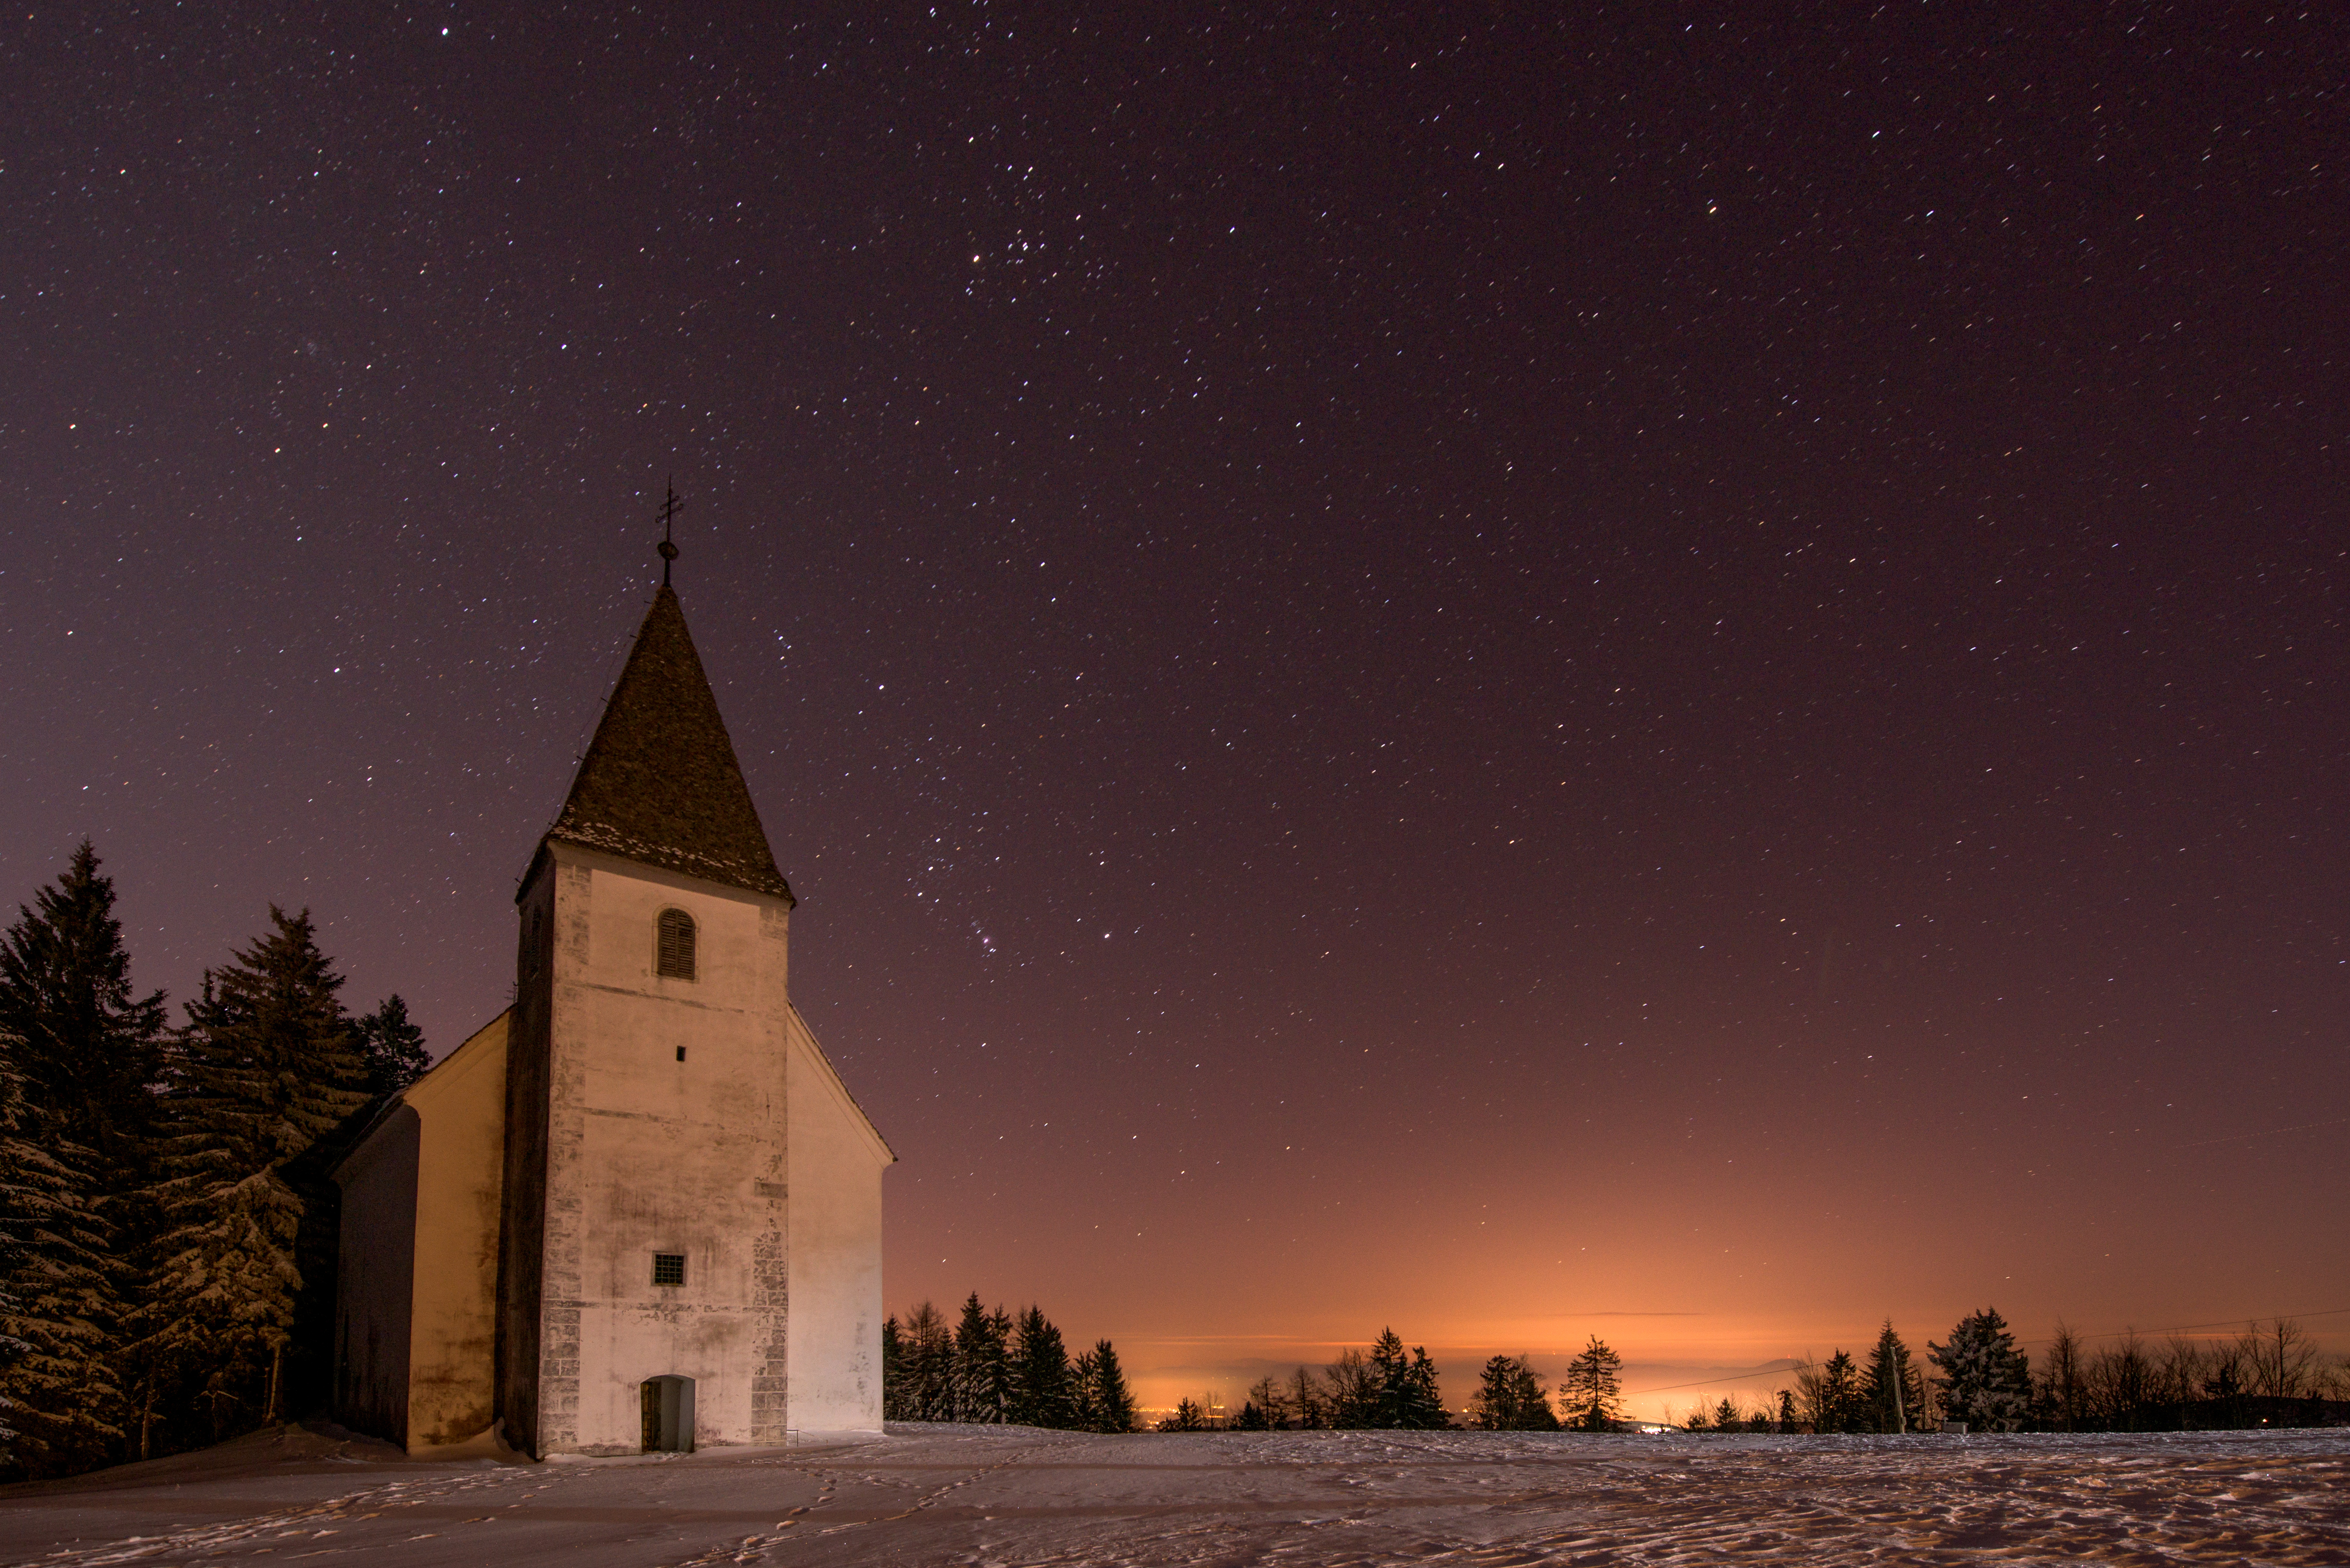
<point>662,782</point>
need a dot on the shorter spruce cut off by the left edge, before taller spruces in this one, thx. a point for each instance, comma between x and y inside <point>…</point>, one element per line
<point>60,1402</point>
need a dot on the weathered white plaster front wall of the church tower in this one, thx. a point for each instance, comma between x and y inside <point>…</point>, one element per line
<point>659,1155</point>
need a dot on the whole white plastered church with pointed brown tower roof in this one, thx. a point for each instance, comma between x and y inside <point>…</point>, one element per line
<point>636,1212</point>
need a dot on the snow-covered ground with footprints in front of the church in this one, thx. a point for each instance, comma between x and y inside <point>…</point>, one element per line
<point>1054,1499</point>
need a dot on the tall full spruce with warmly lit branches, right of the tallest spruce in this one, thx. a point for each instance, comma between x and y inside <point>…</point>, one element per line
<point>241,1299</point>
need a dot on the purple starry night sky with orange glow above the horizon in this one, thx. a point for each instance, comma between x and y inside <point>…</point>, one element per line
<point>1663,676</point>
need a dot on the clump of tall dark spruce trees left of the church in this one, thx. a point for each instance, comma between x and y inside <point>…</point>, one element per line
<point>168,1228</point>
